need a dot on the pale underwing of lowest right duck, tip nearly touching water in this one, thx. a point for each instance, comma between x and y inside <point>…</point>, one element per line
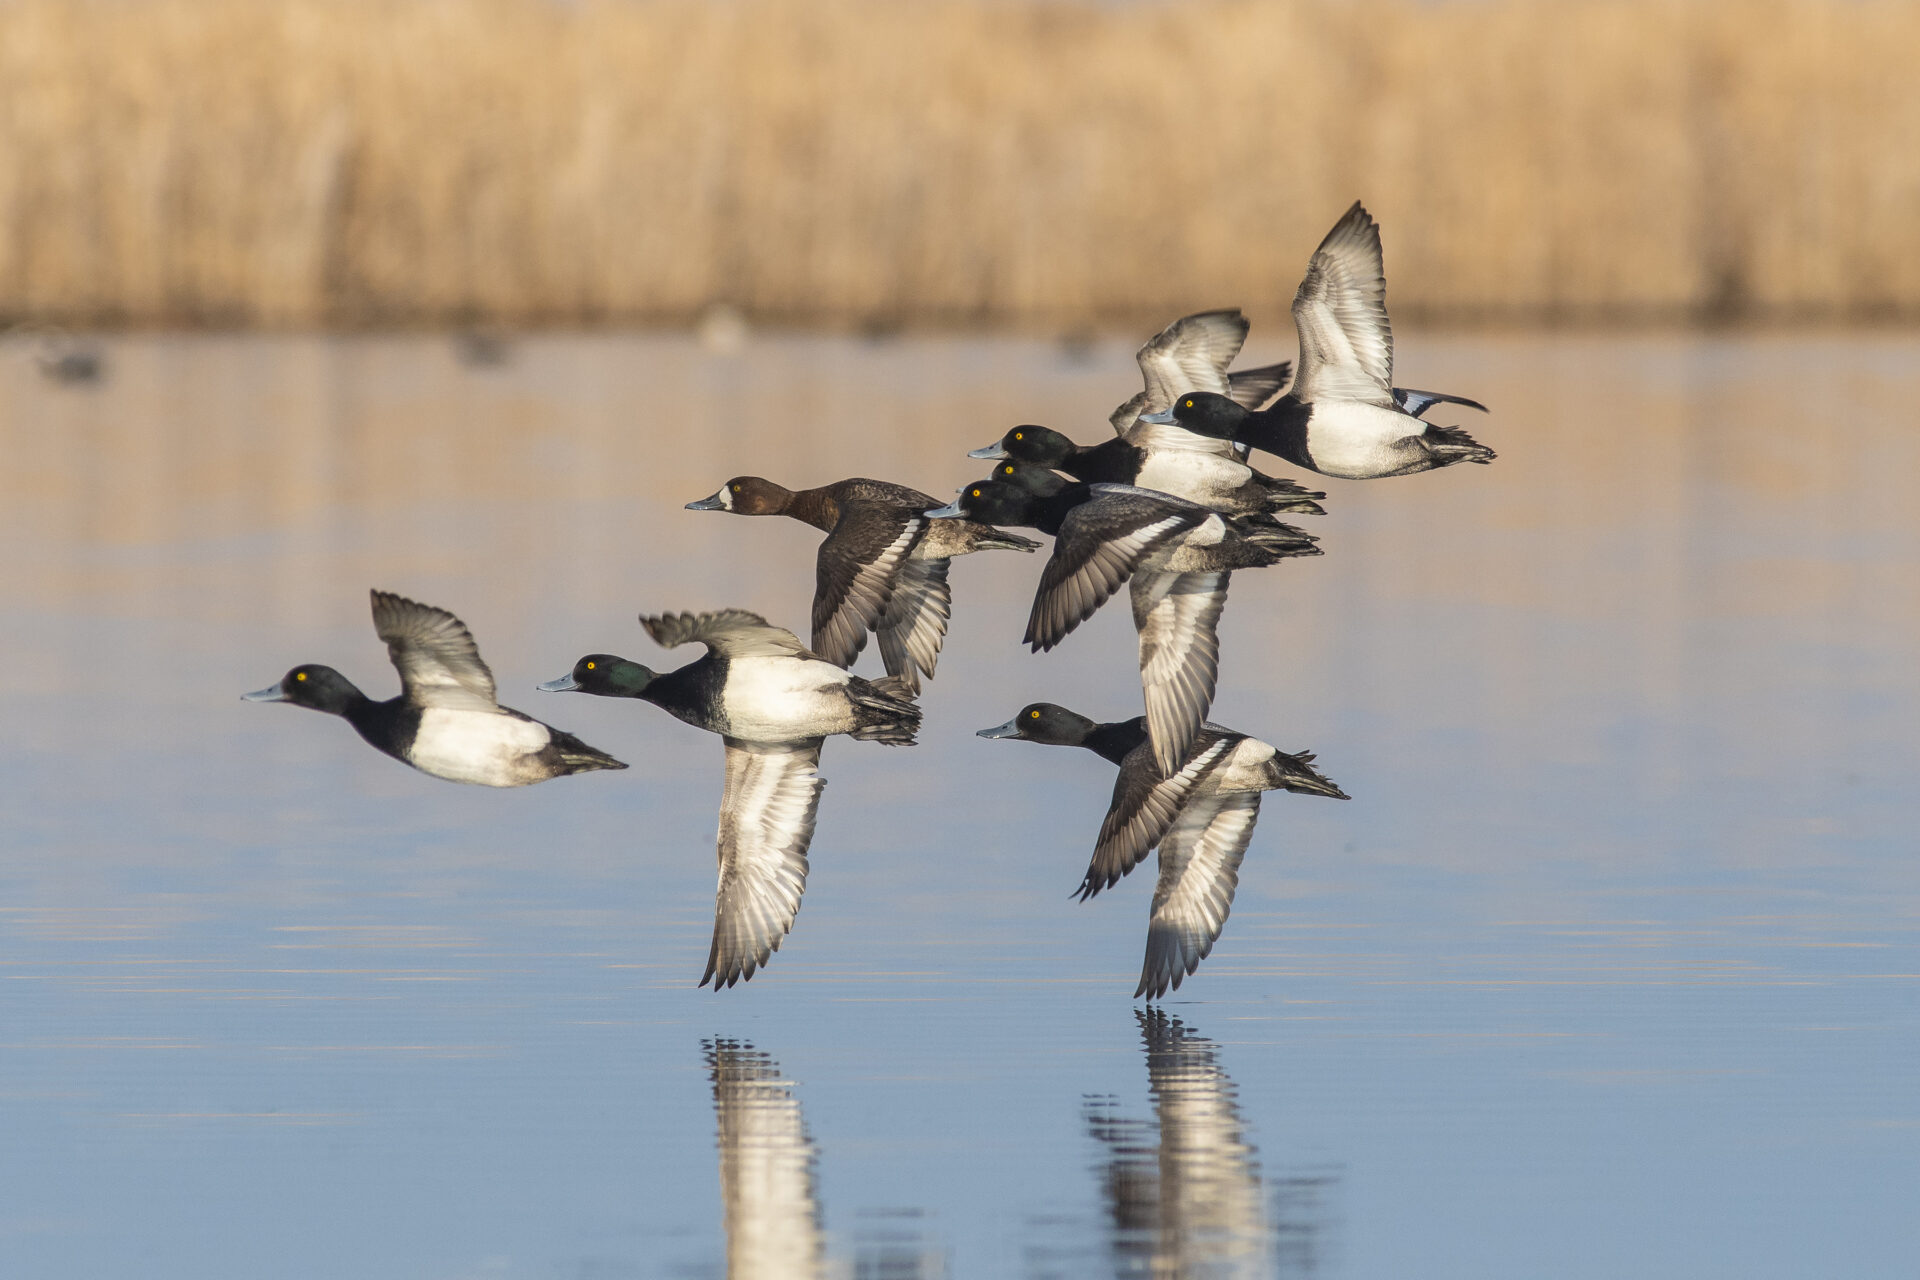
<point>1199,870</point>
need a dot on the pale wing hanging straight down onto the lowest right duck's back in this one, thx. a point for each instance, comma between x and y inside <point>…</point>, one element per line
<point>1178,619</point>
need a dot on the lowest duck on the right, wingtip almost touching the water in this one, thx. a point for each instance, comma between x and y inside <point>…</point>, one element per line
<point>1199,815</point>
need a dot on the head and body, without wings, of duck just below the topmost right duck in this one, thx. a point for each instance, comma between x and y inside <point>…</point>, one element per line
<point>1157,460</point>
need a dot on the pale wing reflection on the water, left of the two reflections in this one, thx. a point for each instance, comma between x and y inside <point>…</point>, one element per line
<point>769,1187</point>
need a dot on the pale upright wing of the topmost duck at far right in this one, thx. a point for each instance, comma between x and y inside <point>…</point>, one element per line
<point>1347,346</point>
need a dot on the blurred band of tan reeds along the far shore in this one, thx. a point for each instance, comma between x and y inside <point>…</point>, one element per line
<point>1015,162</point>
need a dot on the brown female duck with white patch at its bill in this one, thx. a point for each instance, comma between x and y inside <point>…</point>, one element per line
<point>882,567</point>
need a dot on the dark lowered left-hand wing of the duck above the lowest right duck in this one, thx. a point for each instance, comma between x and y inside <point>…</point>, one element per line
<point>1097,550</point>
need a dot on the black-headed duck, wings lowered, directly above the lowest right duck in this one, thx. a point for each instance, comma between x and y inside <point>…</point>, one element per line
<point>1178,559</point>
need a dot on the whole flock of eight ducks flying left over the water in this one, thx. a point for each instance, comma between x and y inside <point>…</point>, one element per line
<point>1168,508</point>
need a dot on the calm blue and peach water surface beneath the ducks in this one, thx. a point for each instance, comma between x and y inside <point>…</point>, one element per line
<point>1612,966</point>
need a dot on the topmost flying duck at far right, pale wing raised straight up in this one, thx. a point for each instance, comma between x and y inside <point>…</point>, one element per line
<point>1343,417</point>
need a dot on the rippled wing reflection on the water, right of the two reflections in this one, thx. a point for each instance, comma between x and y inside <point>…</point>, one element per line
<point>1184,1191</point>
